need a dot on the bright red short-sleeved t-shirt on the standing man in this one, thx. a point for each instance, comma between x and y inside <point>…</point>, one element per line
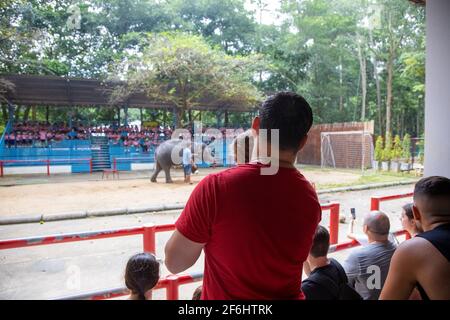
<point>258,231</point>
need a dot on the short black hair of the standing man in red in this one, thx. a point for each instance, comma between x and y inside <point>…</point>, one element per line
<point>291,114</point>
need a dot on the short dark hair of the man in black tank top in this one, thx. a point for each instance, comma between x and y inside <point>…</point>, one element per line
<point>435,192</point>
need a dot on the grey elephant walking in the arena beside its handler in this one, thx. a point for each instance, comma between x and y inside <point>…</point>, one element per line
<point>163,156</point>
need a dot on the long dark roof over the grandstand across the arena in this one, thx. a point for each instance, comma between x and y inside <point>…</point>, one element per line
<point>76,92</point>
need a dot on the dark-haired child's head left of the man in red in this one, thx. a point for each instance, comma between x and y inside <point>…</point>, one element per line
<point>141,274</point>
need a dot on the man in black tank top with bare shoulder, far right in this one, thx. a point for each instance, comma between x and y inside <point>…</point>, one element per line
<point>424,261</point>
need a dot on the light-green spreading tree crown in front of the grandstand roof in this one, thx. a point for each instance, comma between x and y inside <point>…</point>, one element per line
<point>184,71</point>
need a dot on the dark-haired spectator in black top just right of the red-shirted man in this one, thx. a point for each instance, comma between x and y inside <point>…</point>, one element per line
<point>326,277</point>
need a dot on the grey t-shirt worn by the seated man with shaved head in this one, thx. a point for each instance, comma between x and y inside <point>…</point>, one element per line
<point>367,268</point>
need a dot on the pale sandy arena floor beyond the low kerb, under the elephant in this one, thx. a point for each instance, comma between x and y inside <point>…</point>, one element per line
<point>24,195</point>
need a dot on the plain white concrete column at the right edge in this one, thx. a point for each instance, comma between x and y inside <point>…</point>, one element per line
<point>437,89</point>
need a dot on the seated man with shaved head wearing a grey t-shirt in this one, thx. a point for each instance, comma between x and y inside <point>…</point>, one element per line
<point>367,267</point>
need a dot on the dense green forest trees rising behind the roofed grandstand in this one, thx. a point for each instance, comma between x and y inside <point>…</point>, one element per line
<point>311,49</point>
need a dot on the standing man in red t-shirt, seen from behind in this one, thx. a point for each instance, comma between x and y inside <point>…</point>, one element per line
<point>256,230</point>
